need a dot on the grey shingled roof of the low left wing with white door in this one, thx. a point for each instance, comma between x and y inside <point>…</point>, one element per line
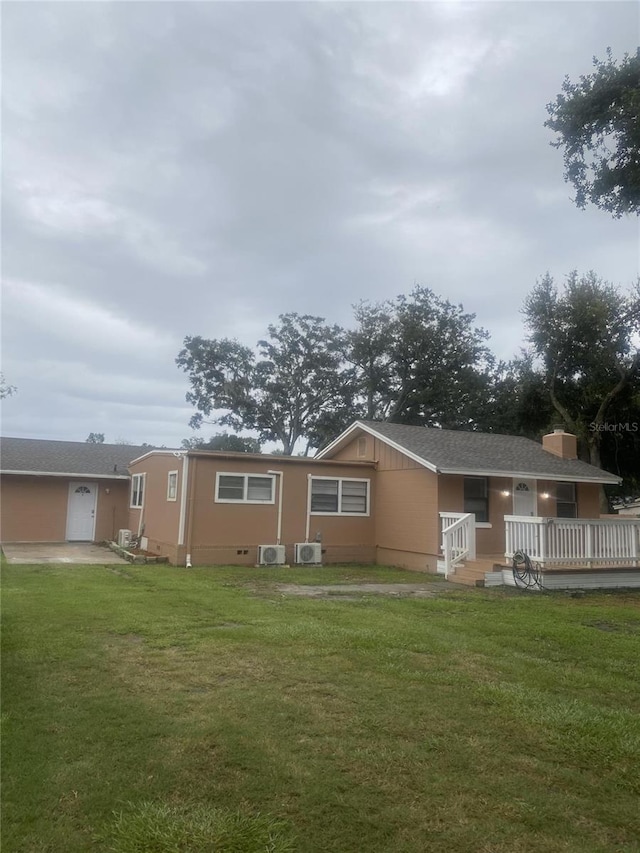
<point>59,458</point>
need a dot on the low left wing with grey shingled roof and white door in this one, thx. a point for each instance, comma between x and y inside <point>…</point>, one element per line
<point>57,491</point>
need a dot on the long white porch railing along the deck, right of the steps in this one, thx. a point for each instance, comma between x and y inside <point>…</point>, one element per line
<point>590,542</point>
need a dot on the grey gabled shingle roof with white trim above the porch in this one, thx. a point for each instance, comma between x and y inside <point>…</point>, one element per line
<point>483,454</point>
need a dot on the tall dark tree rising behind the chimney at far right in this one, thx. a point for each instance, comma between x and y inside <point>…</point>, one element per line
<point>586,339</point>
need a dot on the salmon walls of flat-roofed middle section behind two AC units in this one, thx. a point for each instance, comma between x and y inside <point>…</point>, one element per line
<point>218,533</point>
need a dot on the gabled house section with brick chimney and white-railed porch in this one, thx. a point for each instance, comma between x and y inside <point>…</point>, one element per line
<point>462,503</point>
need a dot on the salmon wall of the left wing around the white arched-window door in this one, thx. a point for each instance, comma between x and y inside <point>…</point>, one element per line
<point>34,509</point>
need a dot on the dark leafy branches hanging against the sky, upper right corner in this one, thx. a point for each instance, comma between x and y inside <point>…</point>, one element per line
<point>597,121</point>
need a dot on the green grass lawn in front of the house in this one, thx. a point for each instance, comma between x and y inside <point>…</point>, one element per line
<point>160,710</point>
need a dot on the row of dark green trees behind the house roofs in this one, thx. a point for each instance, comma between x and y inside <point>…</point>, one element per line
<point>419,359</point>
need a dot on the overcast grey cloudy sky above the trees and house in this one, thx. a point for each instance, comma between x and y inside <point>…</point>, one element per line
<point>175,169</point>
